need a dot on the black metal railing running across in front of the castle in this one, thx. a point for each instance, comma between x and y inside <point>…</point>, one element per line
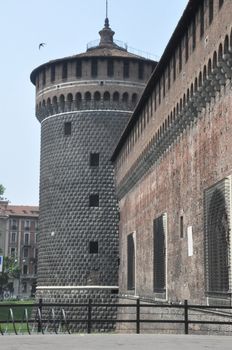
<point>52,317</point>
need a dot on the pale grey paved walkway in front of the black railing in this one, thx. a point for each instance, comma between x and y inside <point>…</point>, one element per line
<point>113,342</point>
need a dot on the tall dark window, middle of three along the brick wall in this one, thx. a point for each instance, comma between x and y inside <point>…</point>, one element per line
<point>159,228</point>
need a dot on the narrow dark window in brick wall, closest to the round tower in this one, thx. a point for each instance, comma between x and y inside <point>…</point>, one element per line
<point>130,262</point>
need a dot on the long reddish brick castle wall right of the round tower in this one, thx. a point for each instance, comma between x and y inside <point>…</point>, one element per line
<point>176,146</point>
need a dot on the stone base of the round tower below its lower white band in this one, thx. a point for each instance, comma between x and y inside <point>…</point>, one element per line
<point>77,315</point>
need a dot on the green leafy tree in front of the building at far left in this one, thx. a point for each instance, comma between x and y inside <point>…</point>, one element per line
<point>10,270</point>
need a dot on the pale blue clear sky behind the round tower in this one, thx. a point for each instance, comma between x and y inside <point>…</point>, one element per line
<point>66,27</point>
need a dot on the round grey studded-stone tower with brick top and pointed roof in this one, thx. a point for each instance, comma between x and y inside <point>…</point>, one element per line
<point>83,103</point>
